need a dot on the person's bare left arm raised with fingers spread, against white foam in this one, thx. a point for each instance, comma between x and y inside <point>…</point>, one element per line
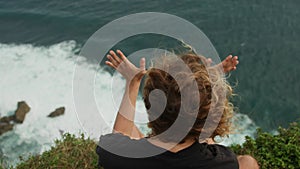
<point>124,122</point>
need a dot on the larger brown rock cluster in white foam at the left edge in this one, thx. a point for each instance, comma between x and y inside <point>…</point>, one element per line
<point>7,122</point>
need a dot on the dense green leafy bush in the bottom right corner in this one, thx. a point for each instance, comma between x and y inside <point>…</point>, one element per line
<point>274,151</point>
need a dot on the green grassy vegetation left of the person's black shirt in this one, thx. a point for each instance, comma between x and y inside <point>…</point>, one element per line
<point>70,152</point>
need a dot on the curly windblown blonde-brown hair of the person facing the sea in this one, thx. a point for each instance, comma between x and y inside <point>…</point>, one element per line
<point>212,86</point>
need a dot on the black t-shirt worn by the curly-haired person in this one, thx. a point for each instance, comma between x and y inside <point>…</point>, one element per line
<point>117,151</point>
